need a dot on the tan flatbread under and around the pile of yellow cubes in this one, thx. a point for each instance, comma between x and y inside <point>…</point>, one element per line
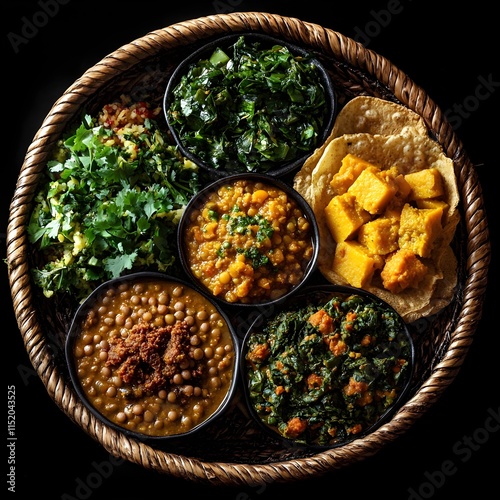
<point>408,147</point>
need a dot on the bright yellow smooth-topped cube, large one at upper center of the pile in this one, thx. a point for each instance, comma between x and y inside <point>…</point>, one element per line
<point>372,191</point>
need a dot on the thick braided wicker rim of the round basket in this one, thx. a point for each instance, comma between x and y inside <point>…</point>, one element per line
<point>334,45</point>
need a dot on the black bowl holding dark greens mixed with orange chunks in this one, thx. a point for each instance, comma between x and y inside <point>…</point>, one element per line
<point>332,404</point>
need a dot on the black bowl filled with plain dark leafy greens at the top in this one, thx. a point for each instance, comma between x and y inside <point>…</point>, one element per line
<point>207,122</point>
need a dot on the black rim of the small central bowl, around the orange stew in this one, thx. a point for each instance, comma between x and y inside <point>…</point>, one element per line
<point>202,197</point>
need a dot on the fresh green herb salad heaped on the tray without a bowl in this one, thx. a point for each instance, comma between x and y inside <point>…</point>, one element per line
<point>110,201</point>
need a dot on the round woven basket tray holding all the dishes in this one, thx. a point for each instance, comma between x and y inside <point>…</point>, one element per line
<point>235,452</point>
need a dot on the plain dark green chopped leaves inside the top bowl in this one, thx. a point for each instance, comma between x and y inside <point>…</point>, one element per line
<point>249,108</point>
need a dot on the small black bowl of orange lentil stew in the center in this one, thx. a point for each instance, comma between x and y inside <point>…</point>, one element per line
<point>248,240</point>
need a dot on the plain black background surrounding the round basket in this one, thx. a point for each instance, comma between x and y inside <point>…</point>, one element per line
<point>451,53</point>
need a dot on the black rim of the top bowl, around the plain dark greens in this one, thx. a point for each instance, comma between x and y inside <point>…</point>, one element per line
<point>274,168</point>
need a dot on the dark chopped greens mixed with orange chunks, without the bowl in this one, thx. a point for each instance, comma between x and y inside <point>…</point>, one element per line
<point>324,374</point>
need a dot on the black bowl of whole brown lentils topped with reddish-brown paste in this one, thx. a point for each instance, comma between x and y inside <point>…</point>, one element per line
<point>138,352</point>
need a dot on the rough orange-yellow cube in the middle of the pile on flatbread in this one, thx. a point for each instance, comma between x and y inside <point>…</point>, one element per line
<point>380,236</point>
